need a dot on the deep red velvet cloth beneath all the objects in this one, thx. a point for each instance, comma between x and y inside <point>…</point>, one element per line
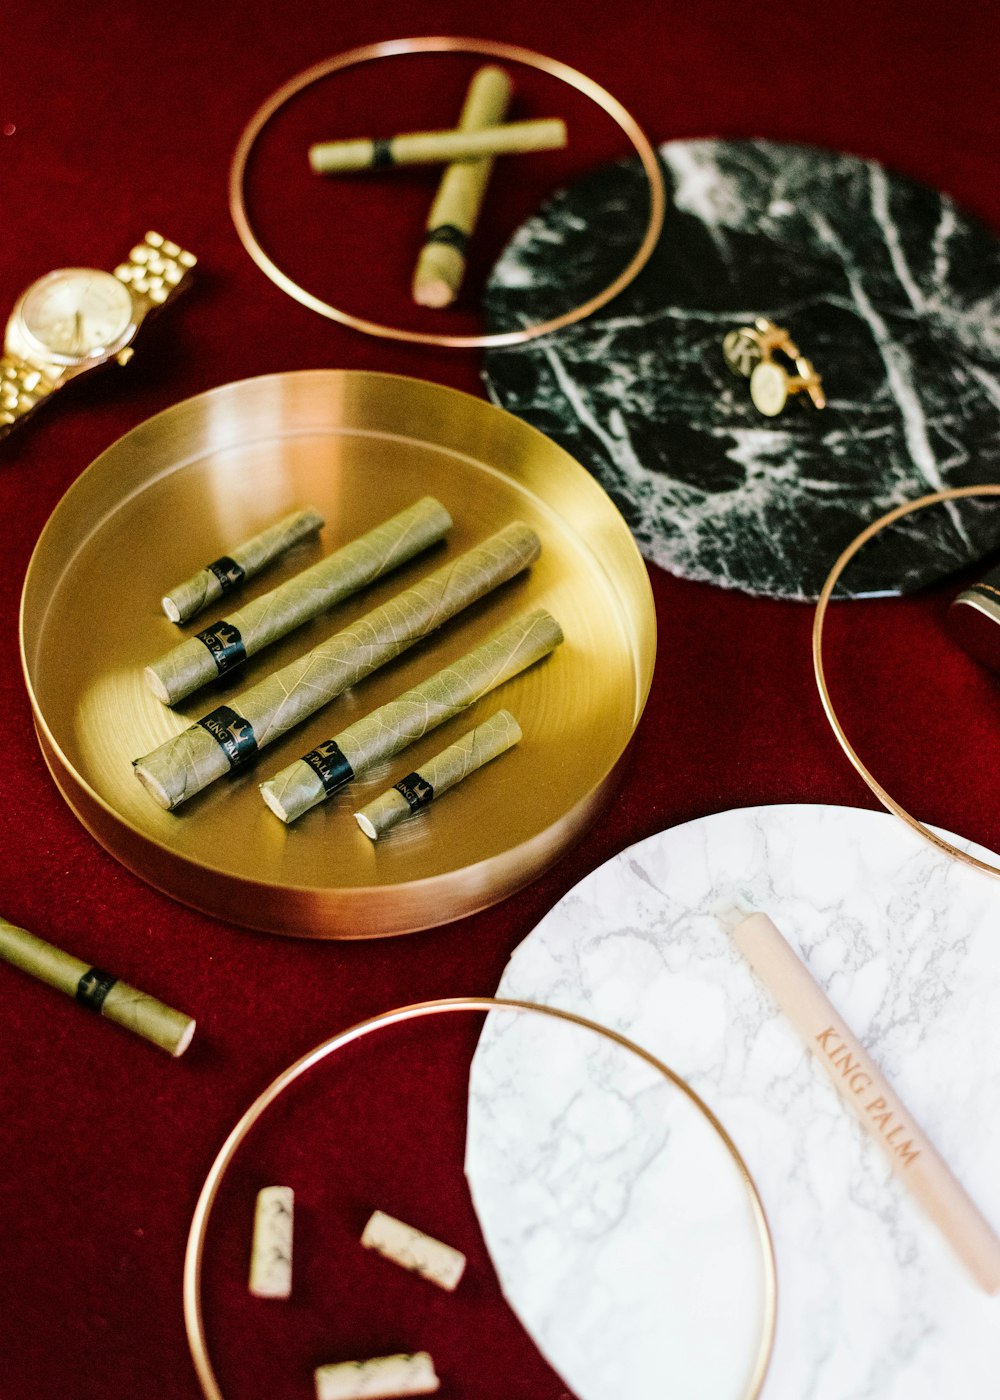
<point>121,118</point>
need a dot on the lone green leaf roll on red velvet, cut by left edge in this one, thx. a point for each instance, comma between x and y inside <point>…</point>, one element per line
<point>97,990</point>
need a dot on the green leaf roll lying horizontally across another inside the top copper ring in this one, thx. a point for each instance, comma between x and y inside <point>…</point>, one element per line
<point>438,148</point>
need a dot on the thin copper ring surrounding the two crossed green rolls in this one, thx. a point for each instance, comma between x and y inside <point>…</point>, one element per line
<point>446,44</point>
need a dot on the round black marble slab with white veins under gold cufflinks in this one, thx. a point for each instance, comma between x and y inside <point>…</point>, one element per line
<point>891,290</point>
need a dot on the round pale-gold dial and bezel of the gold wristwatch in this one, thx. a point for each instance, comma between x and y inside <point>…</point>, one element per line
<point>78,313</point>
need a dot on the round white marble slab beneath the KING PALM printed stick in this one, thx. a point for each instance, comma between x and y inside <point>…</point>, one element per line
<point>907,944</point>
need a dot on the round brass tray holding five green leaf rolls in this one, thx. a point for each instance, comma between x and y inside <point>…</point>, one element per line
<point>180,491</point>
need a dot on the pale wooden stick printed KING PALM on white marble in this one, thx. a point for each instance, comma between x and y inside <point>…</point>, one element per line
<point>861,1083</point>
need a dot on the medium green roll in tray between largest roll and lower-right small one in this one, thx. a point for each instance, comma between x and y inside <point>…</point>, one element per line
<point>396,726</point>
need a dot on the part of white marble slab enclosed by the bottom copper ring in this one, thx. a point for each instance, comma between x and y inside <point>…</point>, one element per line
<point>592,1140</point>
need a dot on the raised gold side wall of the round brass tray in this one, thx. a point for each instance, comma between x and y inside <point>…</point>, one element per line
<point>333,912</point>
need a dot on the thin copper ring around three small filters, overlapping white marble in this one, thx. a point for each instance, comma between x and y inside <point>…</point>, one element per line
<point>194,1318</point>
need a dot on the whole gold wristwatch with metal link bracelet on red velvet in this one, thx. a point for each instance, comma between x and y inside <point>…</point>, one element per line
<point>78,318</point>
